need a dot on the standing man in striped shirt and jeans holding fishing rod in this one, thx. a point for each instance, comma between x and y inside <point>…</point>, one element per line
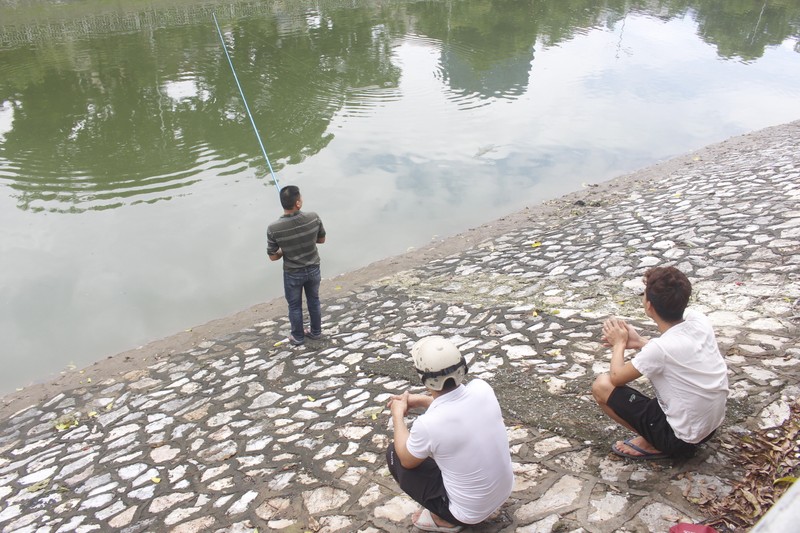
<point>294,237</point>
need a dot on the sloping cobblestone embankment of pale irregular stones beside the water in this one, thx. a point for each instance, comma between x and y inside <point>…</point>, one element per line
<point>242,431</point>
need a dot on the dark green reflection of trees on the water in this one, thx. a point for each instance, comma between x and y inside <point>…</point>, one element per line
<point>116,119</point>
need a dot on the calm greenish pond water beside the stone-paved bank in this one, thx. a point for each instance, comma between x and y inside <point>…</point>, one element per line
<point>134,198</point>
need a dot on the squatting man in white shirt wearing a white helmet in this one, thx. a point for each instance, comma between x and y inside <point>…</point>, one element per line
<point>459,475</point>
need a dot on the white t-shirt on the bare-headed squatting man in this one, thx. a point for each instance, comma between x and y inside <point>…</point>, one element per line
<point>689,376</point>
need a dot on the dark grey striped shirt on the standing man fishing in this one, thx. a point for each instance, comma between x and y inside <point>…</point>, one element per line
<point>296,235</point>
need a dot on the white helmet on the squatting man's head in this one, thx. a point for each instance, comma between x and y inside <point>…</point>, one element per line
<point>436,360</point>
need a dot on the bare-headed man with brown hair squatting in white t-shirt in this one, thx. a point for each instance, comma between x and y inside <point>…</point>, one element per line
<point>684,365</point>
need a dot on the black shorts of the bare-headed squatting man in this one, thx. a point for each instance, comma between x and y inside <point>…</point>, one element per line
<point>648,419</point>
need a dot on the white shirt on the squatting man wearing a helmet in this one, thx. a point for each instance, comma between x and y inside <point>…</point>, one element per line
<point>463,431</point>
